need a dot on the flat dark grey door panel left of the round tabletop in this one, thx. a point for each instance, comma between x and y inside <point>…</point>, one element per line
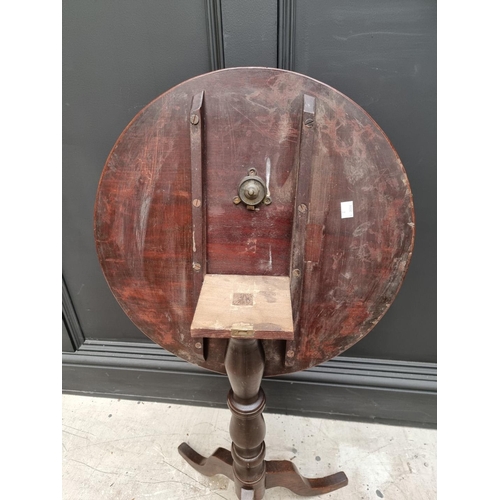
<point>118,56</point>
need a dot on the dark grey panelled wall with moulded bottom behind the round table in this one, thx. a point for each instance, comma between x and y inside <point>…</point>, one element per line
<point>118,55</point>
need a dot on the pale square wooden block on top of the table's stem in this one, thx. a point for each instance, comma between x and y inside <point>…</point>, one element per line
<point>244,306</point>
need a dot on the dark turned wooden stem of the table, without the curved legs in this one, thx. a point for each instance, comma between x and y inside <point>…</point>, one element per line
<point>245,366</point>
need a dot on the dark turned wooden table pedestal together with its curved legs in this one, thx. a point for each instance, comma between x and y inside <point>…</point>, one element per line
<point>245,464</point>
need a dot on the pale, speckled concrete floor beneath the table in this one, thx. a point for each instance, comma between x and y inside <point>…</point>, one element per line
<point>127,450</point>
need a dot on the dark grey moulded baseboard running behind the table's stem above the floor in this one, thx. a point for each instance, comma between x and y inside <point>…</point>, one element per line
<point>394,392</point>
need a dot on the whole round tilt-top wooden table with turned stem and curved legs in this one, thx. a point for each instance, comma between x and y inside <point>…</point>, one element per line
<point>254,222</point>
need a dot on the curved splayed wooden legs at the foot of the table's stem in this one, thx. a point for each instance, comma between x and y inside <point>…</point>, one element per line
<point>277,473</point>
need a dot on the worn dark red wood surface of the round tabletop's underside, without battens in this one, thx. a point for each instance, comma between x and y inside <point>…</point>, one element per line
<point>352,268</point>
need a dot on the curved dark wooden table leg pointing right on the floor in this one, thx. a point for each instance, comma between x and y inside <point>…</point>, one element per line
<point>284,473</point>
